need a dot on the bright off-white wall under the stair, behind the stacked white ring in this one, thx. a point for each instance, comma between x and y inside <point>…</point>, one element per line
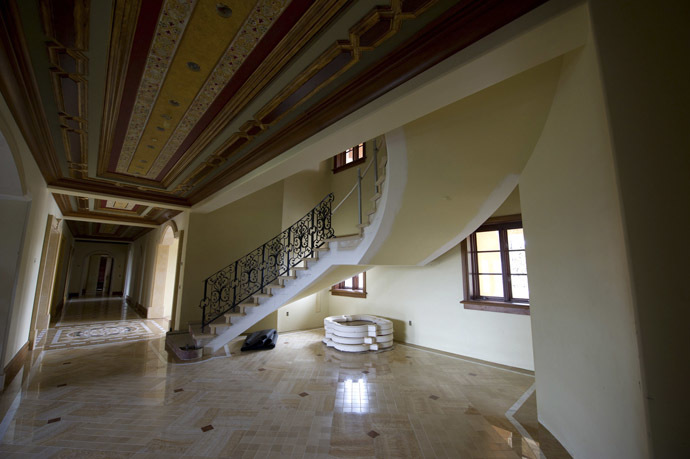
<point>430,296</point>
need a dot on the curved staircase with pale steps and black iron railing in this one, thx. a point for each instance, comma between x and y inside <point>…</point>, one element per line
<point>244,292</point>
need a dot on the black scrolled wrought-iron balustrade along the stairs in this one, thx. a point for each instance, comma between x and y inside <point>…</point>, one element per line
<point>237,282</point>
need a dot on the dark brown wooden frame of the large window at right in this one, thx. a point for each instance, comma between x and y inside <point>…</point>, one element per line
<point>473,300</point>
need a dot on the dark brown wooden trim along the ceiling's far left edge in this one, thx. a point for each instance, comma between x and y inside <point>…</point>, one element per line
<point>20,90</point>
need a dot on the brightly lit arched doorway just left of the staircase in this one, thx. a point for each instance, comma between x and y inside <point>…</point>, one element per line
<point>166,272</point>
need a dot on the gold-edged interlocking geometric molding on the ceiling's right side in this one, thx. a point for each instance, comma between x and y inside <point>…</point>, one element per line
<point>371,31</point>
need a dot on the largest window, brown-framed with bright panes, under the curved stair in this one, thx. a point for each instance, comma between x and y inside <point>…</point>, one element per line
<point>496,267</point>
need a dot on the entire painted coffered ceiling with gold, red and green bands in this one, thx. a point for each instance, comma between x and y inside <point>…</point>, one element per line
<point>138,109</point>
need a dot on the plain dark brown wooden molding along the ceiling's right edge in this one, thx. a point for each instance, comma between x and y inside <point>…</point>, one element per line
<point>461,26</point>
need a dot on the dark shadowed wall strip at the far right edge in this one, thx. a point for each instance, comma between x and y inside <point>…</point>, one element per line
<point>643,48</point>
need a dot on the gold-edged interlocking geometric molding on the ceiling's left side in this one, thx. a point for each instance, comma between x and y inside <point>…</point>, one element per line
<point>68,39</point>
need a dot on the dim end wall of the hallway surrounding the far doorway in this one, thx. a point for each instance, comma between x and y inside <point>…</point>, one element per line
<point>83,250</point>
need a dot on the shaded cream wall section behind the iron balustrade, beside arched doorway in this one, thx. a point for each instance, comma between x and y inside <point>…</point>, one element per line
<point>218,238</point>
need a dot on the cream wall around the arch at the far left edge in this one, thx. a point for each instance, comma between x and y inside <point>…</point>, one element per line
<point>42,205</point>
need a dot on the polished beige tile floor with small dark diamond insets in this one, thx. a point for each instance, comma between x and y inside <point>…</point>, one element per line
<point>299,400</point>
